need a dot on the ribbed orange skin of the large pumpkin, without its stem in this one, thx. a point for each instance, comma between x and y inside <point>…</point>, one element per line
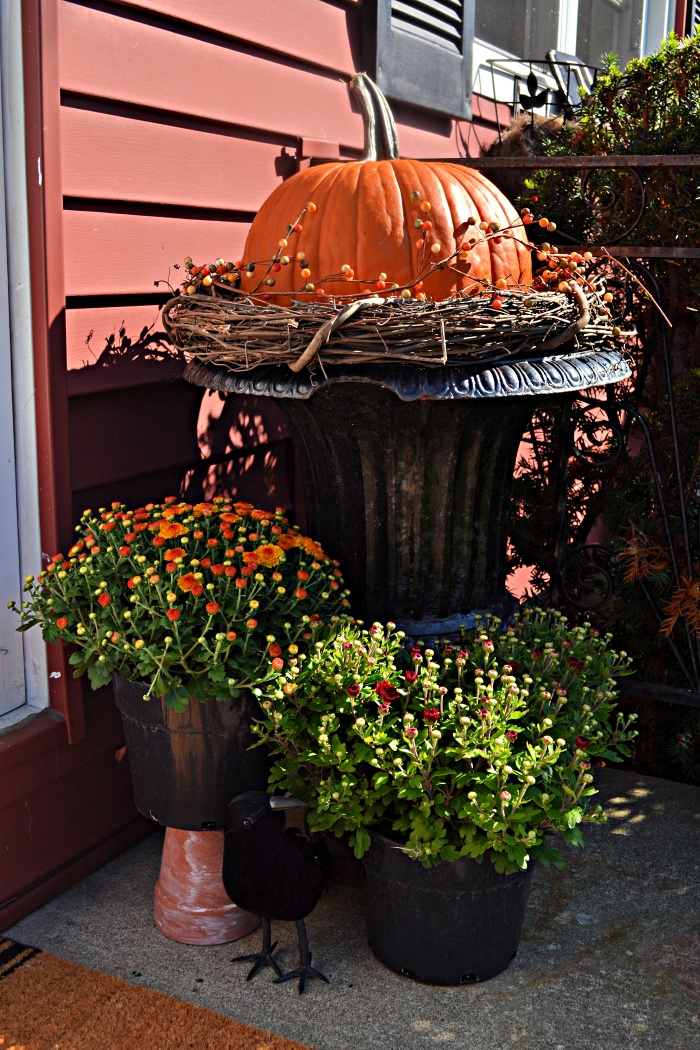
<point>365,219</point>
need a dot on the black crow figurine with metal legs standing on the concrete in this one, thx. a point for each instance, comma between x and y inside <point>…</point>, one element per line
<point>275,873</point>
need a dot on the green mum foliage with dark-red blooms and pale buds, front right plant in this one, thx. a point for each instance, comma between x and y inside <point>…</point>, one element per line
<point>485,748</point>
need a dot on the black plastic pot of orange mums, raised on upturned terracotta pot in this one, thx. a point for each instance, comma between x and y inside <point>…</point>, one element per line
<point>187,767</point>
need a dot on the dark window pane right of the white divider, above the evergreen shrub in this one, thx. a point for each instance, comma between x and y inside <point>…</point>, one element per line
<point>609,27</point>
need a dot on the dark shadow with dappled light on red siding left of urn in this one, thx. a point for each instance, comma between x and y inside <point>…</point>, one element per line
<point>139,433</point>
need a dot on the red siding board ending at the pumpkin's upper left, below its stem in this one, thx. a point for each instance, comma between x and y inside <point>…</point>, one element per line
<point>120,158</point>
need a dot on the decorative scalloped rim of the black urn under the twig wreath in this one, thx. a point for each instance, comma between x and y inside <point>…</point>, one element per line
<point>524,377</point>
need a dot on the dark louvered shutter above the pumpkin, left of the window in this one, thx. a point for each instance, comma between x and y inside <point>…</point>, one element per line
<point>425,54</point>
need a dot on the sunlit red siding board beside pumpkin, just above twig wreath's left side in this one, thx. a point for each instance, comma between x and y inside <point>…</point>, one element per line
<point>117,254</point>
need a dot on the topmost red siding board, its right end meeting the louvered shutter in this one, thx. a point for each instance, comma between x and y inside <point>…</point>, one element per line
<point>315,32</point>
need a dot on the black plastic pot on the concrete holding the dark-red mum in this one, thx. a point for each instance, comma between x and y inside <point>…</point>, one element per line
<point>457,923</point>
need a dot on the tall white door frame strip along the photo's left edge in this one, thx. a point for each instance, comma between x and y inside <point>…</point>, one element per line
<point>26,686</point>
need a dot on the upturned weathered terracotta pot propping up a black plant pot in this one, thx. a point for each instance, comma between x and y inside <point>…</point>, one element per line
<point>192,905</point>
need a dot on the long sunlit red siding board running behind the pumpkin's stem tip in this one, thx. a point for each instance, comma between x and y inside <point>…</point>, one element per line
<point>105,56</point>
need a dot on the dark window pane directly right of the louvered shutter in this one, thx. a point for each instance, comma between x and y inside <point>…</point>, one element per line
<point>525,30</point>
